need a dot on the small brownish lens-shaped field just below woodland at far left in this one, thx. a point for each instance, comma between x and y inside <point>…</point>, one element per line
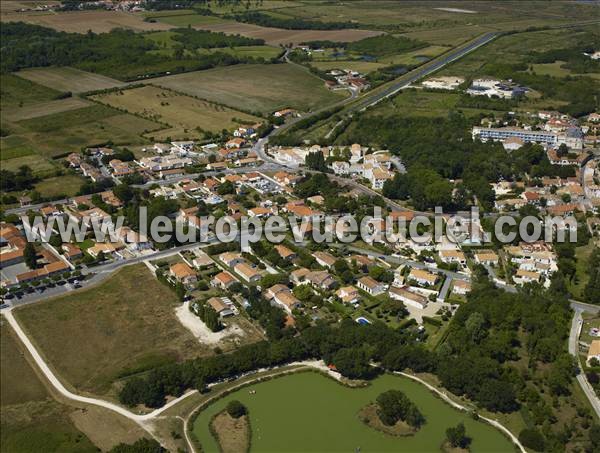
<point>69,79</point>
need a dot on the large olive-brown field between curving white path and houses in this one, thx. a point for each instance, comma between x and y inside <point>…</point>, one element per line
<point>125,325</point>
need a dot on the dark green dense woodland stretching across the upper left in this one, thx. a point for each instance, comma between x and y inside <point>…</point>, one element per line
<point>122,54</point>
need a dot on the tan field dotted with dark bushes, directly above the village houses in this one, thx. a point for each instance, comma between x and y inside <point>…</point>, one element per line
<point>179,111</point>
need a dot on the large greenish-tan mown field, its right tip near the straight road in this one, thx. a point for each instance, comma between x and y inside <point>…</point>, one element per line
<point>261,88</point>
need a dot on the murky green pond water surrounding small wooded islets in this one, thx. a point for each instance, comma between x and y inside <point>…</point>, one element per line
<point>307,412</point>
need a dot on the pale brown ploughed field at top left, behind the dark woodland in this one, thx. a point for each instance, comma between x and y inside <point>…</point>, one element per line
<point>98,21</point>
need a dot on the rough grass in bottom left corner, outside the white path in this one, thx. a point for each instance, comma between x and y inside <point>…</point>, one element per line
<point>30,420</point>
